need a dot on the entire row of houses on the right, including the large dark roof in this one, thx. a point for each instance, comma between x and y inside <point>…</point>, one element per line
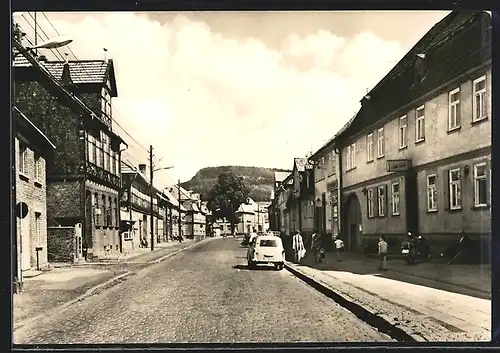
<point>416,157</point>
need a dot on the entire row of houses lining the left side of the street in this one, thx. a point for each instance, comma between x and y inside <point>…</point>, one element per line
<point>75,197</point>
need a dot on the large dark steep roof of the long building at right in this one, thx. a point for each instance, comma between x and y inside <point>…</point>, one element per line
<point>452,48</point>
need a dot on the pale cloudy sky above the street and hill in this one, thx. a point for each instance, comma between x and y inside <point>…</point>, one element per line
<point>233,88</point>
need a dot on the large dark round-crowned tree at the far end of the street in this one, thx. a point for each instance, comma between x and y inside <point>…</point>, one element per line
<point>227,195</point>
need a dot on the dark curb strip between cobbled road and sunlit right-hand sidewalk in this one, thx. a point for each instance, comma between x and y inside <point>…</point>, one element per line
<point>363,314</point>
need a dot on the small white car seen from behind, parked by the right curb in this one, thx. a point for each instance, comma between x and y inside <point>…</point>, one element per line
<point>266,249</point>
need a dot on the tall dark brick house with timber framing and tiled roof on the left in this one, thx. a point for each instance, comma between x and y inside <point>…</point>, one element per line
<point>71,104</point>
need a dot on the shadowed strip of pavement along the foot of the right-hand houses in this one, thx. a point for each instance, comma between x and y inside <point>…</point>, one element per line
<point>472,280</point>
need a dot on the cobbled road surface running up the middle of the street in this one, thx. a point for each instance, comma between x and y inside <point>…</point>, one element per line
<point>204,294</point>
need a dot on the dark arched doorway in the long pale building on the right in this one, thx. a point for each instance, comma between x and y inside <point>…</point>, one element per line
<point>352,223</point>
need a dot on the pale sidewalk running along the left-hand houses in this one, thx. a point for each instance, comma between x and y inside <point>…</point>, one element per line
<point>64,283</point>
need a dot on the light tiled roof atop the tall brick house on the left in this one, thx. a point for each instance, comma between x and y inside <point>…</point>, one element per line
<point>81,71</point>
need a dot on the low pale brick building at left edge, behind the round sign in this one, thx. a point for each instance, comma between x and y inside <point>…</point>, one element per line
<point>32,149</point>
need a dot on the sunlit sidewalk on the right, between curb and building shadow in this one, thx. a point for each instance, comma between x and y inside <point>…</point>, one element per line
<point>426,313</point>
